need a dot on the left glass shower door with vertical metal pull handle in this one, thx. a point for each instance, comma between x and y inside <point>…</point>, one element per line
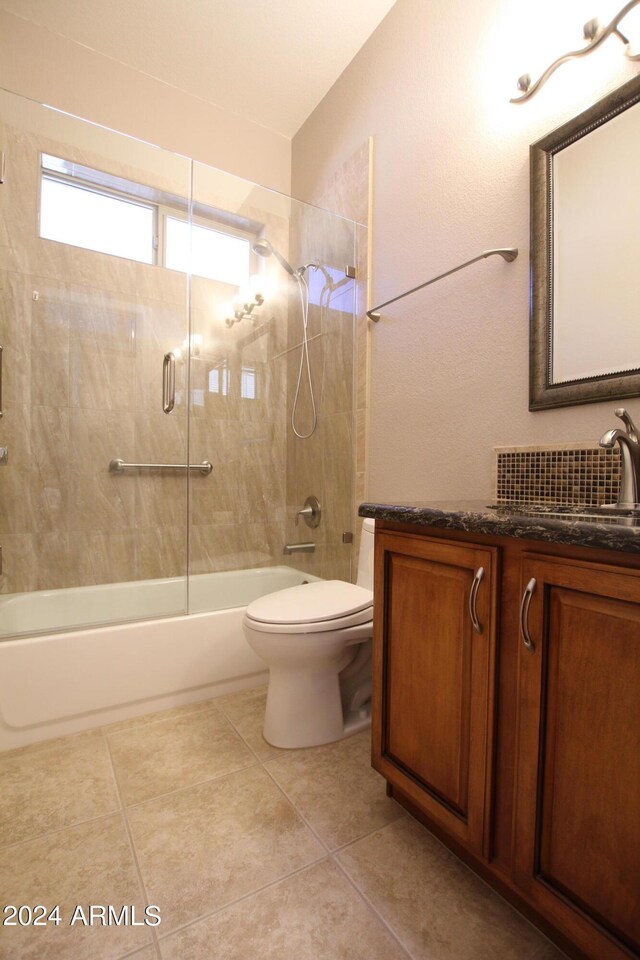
<point>88,312</point>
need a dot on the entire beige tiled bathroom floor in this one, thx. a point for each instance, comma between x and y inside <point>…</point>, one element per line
<point>251,853</point>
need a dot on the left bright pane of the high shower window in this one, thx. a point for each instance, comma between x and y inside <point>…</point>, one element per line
<point>96,221</point>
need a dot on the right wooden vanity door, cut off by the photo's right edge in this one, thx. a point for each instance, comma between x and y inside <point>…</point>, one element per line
<point>577,810</point>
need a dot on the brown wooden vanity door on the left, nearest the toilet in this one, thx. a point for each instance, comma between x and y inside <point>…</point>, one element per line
<point>433,678</point>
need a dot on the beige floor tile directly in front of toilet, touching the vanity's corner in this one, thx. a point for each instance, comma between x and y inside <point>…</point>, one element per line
<point>335,789</point>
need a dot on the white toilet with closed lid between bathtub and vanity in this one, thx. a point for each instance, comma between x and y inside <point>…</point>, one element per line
<point>316,640</point>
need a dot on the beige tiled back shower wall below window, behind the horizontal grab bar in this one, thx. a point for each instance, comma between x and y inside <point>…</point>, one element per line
<point>84,335</point>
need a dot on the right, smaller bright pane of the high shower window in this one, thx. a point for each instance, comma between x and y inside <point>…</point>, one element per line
<point>215,255</point>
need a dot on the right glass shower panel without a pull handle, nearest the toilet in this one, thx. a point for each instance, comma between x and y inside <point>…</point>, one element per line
<point>281,281</point>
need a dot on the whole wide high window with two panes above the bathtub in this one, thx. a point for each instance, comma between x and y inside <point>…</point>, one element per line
<point>99,211</point>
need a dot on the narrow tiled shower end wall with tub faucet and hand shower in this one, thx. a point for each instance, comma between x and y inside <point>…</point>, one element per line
<point>317,465</point>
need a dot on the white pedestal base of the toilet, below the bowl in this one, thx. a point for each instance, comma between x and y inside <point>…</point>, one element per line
<point>308,712</point>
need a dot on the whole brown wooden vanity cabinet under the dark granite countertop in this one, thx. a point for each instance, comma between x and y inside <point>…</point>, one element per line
<point>518,745</point>
